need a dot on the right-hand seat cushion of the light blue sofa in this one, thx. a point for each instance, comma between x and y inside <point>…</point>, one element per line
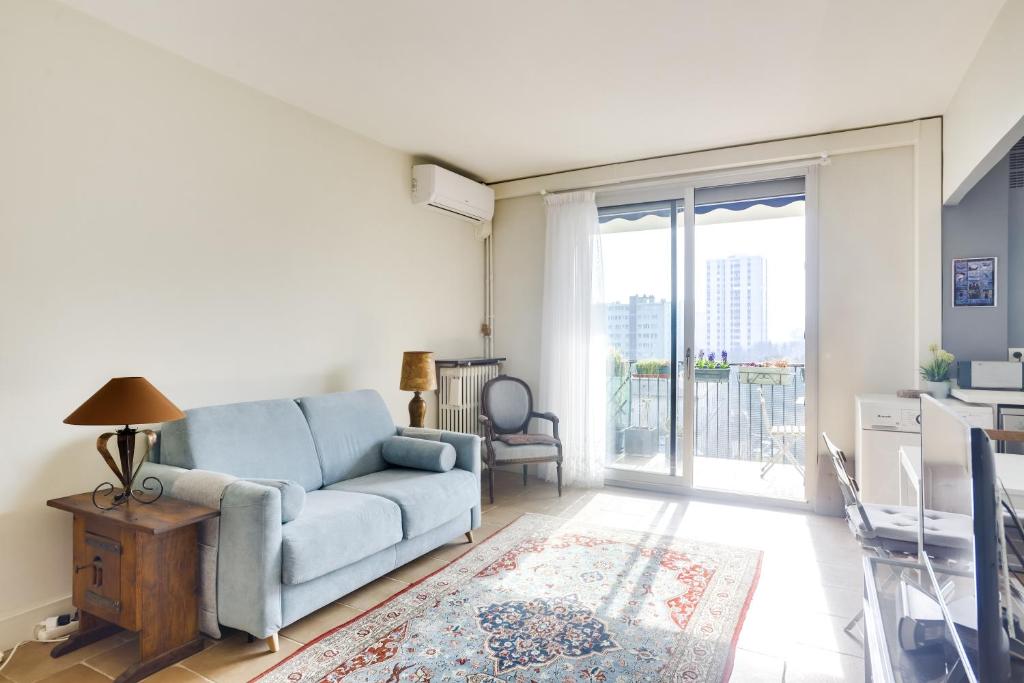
<point>426,499</point>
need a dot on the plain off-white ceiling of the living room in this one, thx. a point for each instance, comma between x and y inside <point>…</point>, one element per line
<point>509,90</point>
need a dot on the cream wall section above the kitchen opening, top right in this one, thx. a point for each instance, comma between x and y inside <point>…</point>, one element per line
<point>986,117</point>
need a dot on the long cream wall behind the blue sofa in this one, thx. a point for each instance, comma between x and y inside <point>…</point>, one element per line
<point>161,221</point>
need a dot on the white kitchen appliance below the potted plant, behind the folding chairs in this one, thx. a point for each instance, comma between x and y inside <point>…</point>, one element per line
<point>884,424</point>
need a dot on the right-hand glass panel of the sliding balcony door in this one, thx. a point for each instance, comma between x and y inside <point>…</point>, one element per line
<point>749,390</point>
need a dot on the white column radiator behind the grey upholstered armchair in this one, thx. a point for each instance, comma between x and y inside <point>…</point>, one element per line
<point>459,388</point>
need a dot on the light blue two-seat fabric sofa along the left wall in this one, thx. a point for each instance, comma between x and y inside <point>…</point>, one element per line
<point>310,509</point>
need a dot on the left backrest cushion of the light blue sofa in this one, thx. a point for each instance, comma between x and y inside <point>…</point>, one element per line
<point>264,440</point>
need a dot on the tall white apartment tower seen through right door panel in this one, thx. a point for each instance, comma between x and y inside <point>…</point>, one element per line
<point>737,304</point>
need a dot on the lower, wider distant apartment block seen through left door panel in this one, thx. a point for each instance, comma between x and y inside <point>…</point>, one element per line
<point>642,328</point>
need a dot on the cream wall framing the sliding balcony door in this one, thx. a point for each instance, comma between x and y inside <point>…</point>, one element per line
<point>879,250</point>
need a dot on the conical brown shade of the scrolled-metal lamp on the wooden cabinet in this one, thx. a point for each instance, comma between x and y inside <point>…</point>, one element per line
<point>125,401</point>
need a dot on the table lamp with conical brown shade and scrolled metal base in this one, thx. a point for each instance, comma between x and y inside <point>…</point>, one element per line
<point>126,401</point>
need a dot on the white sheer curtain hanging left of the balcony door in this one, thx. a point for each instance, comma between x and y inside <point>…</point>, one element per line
<point>573,336</point>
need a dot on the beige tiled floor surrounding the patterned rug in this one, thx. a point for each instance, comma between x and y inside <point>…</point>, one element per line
<point>809,587</point>
